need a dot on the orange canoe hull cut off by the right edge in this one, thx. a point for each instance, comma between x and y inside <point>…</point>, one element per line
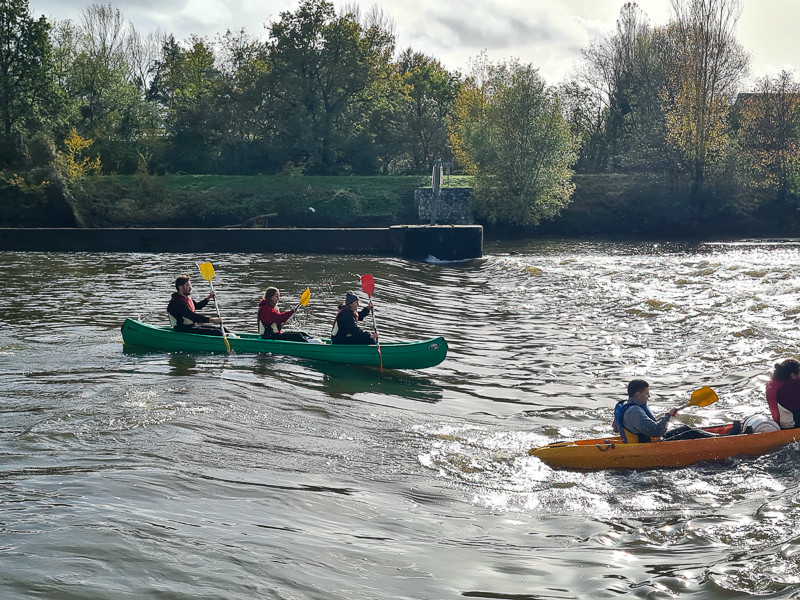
<point>611,453</point>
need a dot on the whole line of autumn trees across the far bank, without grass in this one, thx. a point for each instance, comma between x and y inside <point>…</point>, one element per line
<point>328,93</point>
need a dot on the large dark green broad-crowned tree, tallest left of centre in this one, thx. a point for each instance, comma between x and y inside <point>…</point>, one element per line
<point>327,71</point>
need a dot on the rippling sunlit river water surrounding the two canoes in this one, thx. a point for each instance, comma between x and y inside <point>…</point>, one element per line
<point>130,474</point>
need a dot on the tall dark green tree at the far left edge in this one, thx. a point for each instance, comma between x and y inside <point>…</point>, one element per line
<point>27,94</point>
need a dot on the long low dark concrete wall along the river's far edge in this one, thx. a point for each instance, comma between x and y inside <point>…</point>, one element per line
<point>415,242</point>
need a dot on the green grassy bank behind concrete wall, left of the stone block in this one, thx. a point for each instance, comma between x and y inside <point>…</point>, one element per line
<point>217,201</point>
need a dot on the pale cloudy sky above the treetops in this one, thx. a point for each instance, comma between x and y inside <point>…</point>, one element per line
<point>549,34</point>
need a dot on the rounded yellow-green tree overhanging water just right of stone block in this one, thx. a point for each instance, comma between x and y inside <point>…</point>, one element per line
<point>511,129</point>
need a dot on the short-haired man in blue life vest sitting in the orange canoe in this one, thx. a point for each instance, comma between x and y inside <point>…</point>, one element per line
<point>635,423</point>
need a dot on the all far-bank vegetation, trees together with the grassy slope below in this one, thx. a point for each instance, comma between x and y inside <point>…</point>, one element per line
<point>327,122</point>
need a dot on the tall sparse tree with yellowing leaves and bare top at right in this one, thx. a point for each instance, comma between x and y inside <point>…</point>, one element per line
<point>705,68</point>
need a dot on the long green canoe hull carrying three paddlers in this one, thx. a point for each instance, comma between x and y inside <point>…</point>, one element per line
<point>401,355</point>
